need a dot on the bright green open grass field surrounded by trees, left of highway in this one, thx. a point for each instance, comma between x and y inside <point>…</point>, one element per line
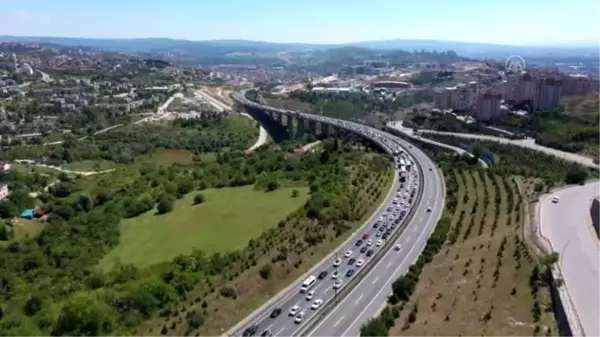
<point>224,222</point>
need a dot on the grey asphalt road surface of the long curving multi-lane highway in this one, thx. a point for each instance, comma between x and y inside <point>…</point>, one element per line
<point>376,286</point>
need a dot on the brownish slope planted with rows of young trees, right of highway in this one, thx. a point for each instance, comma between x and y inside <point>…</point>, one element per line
<point>479,285</point>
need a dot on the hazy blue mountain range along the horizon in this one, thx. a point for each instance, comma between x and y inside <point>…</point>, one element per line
<point>219,48</point>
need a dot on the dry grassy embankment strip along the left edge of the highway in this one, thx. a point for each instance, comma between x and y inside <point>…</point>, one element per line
<point>252,290</point>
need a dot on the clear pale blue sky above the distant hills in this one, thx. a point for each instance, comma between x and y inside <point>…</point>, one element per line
<point>316,21</point>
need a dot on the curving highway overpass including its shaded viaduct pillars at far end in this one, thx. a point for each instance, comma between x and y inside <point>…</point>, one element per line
<point>336,316</point>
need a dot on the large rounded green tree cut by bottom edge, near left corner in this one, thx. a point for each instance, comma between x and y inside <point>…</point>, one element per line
<point>85,315</point>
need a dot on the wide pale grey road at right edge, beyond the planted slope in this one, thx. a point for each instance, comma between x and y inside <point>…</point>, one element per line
<point>567,225</point>
